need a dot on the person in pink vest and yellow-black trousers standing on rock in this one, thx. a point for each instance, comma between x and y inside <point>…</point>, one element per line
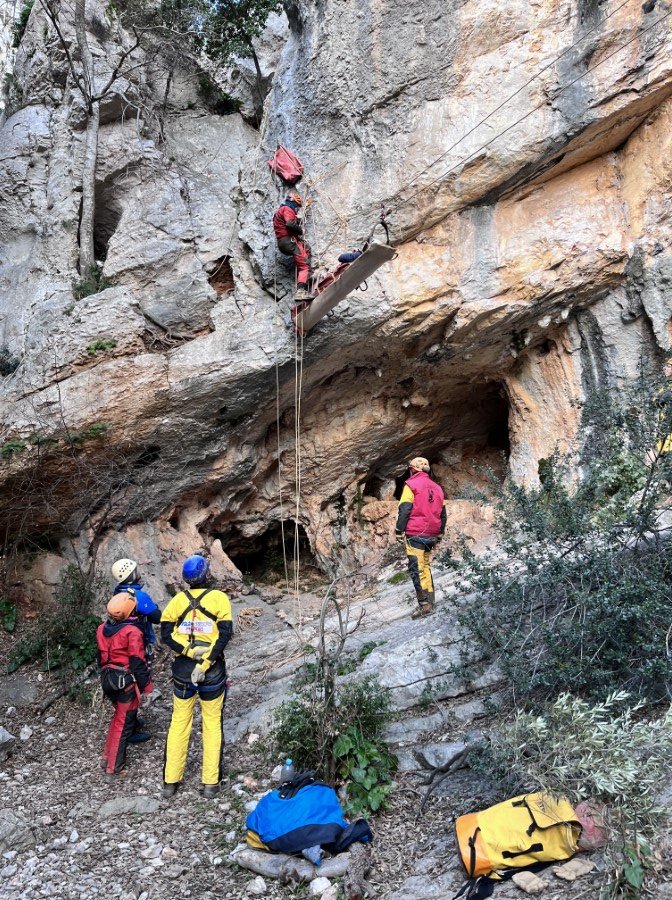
<point>421,524</point>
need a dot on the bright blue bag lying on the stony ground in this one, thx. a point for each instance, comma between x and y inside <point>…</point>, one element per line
<point>312,816</point>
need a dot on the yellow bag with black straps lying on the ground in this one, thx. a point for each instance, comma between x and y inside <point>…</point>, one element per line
<point>529,829</point>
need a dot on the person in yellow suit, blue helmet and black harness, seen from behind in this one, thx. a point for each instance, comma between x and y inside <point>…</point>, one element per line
<point>197,625</point>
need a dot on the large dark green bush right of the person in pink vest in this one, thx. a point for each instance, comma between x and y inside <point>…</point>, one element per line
<point>582,581</point>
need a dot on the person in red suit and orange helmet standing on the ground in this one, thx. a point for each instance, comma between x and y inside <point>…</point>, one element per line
<point>124,676</point>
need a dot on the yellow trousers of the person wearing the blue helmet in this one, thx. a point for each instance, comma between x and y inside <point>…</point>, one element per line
<point>177,742</point>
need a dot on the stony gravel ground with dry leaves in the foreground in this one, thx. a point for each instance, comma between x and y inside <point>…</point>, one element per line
<point>179,849</point>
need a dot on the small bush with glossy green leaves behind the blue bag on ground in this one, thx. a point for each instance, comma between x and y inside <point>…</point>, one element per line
<point>341,739</point>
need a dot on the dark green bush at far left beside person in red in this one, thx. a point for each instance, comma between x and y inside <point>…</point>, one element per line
<point>64,638</point>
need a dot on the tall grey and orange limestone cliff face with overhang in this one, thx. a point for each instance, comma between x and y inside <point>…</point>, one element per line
<point>533,264</point>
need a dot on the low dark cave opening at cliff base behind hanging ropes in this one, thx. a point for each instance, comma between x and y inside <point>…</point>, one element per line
<point>260,557</point>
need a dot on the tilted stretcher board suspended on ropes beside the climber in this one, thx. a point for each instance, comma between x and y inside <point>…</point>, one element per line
<point>336,286</point>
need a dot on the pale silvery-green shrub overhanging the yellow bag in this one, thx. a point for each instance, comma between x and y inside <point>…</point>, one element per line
<point>603,752</point>
